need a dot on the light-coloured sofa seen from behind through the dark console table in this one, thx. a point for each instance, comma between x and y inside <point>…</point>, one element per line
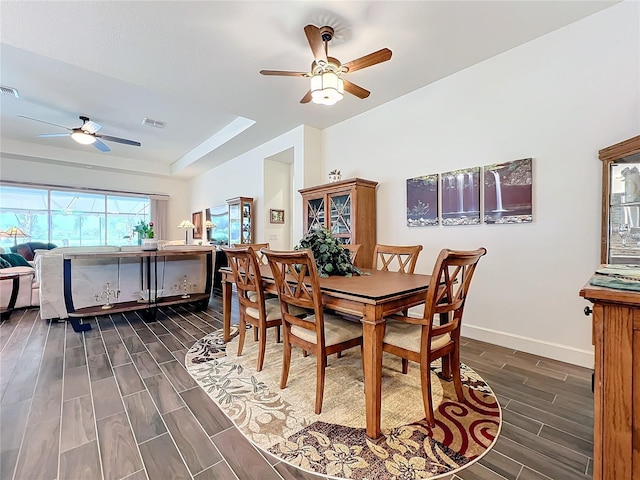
<point>89,274</point>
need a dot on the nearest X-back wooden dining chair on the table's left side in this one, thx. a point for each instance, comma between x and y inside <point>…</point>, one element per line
<point>321,334</point>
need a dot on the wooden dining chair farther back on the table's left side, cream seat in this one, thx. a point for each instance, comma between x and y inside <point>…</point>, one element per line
<point>255,309</point>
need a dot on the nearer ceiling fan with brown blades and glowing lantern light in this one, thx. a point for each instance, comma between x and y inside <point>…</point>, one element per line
<point>327,84</point>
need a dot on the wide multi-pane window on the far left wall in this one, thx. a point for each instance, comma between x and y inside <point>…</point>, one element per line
<point>68,217</point>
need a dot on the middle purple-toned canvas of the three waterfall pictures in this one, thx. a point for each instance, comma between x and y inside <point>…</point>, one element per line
<point>461,197</point>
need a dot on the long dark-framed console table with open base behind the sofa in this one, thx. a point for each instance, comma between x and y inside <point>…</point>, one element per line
<point>148,281</point>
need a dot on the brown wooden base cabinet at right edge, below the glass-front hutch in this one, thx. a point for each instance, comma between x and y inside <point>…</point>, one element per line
<point>616,336</point>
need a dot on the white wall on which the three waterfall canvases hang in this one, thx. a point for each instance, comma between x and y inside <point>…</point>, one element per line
<point>558,99</point>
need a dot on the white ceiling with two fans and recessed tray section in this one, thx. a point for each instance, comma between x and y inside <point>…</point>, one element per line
<point>195,64</point>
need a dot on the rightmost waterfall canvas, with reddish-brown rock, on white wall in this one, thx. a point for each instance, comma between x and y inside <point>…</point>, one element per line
<point>508,192</point>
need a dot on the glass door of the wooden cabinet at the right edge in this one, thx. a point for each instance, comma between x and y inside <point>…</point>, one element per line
<point>624,212</point>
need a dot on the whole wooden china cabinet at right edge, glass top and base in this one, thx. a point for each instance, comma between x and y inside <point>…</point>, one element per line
<point>616,323</point>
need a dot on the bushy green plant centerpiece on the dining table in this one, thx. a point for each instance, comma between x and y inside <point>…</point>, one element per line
<point>330,257</point>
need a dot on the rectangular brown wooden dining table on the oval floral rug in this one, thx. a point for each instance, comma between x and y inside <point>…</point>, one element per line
<point>370,297</point>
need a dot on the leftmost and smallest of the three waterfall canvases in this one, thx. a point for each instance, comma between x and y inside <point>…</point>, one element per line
<point>422,201</point>
